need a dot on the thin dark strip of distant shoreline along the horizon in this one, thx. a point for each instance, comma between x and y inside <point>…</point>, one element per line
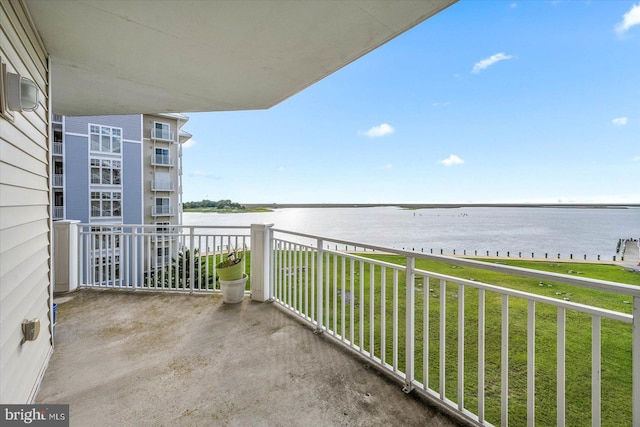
<point>440,205</point>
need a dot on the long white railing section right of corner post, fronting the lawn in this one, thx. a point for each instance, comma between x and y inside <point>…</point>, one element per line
<point>489,353</point>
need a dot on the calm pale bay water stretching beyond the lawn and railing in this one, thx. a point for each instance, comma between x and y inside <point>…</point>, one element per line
<point>566,231</point>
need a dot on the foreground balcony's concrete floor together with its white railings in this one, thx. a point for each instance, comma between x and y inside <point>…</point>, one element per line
<point>451,331</point>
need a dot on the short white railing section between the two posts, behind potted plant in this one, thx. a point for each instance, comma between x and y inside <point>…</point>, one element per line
<point>171,258</point>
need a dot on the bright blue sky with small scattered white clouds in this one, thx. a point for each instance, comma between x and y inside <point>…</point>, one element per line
<point>488,101</point>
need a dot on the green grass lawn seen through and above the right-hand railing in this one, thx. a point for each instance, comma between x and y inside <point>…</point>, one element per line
<point>616,336</point>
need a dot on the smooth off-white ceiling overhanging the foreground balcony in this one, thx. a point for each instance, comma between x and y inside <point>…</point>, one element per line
<point>138,56</point>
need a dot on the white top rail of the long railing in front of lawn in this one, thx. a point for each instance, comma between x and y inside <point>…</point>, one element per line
<point>603,285</point>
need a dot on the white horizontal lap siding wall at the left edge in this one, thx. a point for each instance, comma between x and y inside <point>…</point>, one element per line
<point>24,214</point>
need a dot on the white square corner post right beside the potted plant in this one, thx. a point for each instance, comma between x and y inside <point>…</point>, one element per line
<point>261,262</point>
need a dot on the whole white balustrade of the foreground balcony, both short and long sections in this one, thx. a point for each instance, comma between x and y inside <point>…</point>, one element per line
<point>492,343</point>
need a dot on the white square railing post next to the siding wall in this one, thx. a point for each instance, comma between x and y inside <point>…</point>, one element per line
<point>65,255</point>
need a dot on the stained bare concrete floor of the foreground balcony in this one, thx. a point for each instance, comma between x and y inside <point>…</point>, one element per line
<point>157,359</point>
